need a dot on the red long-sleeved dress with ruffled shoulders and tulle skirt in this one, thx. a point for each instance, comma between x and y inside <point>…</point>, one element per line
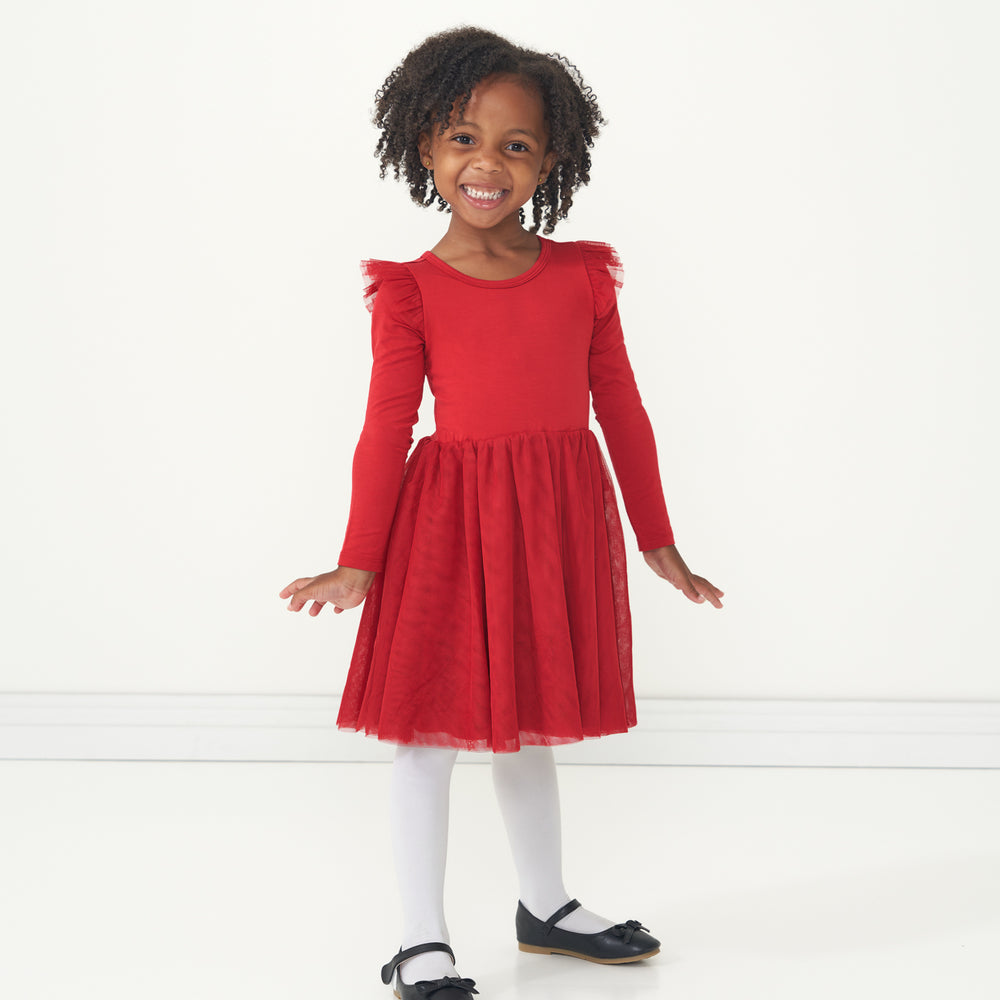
<point>499,615</point>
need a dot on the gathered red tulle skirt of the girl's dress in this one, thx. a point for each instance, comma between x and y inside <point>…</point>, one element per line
<point>502,617</point>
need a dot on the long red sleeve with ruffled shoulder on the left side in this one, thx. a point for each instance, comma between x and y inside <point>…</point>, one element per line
<point>397,382</point>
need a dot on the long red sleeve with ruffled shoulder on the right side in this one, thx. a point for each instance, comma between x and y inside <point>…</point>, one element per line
<point>618,406</point>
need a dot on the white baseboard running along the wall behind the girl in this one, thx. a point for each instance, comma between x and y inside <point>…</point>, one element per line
<point>687,732</point>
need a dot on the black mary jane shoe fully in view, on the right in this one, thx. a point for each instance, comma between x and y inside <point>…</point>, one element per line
<point>622,943</point>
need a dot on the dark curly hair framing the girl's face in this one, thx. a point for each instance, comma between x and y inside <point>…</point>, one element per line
<point>422,90</point>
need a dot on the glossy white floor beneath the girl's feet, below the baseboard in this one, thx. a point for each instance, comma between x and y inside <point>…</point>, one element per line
<point>149,880</point>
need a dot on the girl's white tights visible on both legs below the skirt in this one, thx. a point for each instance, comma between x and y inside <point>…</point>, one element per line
<point>528,794</point>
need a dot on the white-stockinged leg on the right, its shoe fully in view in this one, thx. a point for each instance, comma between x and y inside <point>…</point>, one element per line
<point>528,794</point>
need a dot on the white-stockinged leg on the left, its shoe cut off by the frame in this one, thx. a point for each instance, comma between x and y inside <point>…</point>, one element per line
<point>418,815</point>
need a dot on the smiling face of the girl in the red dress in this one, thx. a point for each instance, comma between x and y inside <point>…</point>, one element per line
<point>490,159</point>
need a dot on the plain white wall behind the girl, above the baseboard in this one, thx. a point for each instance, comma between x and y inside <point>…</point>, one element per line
<point>804,195</point>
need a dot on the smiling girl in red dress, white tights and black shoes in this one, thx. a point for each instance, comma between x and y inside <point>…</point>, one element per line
<point>491,563</point>
